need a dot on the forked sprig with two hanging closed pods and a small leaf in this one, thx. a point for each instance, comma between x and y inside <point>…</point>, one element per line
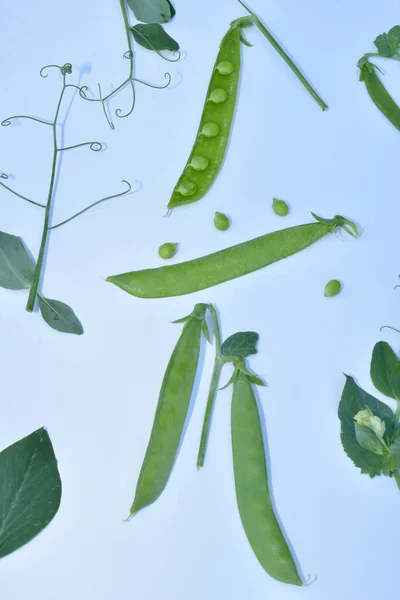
<point>254,503</point>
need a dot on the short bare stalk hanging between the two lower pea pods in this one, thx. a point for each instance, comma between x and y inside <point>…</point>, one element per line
<point>218,364</point>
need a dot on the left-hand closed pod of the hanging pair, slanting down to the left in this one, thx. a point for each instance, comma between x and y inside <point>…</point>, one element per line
<point>172,408</point>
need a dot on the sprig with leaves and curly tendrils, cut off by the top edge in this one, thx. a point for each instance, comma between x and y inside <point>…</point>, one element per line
<point>151,36</point>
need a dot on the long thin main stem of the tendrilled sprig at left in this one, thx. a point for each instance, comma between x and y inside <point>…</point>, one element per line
<point>39,265</point>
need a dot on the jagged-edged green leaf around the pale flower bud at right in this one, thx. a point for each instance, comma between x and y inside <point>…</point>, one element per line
<point>354,399</point>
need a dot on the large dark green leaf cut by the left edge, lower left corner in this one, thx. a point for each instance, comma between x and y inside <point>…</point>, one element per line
<point>30,490</point>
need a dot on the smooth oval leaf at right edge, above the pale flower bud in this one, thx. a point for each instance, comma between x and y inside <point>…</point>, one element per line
<point>385,370</point>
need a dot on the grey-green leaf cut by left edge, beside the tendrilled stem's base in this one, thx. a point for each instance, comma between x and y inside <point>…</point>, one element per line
<point>16,266</point>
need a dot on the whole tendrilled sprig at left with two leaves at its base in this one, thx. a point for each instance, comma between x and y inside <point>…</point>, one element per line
<point>17,268</point>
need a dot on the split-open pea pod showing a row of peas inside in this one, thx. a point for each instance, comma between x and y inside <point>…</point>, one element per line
<point>209,149</point>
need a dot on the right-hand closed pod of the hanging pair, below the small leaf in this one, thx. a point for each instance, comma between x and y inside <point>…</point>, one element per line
<point>251,481</point>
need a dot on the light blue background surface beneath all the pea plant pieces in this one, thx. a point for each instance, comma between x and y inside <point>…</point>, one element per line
<point>97,394</point>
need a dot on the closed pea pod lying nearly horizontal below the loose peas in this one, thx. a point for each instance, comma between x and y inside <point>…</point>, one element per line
<point>218,267</point>
